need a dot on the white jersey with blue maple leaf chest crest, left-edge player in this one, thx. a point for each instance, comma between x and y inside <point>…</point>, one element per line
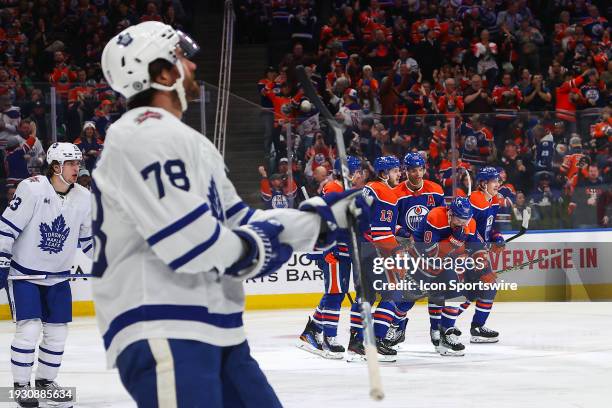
<point>41,230</point>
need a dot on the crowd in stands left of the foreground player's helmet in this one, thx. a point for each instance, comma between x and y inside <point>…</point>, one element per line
<point>58,44</point>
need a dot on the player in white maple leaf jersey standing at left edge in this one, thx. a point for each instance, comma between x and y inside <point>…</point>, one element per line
<point>39,233</point>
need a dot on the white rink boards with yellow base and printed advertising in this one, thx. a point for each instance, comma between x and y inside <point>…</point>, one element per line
<point>578,268</point>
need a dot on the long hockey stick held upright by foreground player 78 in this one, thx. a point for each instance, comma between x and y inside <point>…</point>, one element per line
<point>376,391</point>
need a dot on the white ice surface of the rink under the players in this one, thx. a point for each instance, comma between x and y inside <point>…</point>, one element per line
<point>550,355</point>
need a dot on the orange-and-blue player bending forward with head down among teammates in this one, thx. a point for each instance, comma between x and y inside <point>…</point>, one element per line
<point>444,233</point>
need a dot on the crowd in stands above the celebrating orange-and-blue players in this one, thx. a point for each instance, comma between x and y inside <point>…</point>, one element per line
<point>520,85</point>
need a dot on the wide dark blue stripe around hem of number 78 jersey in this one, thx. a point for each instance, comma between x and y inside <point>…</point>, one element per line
<point>147,313</point>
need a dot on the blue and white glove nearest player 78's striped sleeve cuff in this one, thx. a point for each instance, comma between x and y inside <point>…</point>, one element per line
<point>265,255</point>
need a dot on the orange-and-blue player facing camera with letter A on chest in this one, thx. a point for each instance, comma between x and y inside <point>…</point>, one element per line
<point>416,198</point>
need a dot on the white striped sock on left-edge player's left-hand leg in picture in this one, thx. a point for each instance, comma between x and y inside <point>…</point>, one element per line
<point>23,348</point>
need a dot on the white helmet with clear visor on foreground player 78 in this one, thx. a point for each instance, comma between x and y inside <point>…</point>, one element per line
<point>126,58</point>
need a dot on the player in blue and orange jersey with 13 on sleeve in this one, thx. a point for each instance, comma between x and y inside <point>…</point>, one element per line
<point>381,235</point>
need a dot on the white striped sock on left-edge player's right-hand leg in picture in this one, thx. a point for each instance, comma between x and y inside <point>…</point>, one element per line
<point>51,350</point>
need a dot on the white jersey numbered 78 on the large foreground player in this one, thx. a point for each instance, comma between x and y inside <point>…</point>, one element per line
<point>163,221</point>
